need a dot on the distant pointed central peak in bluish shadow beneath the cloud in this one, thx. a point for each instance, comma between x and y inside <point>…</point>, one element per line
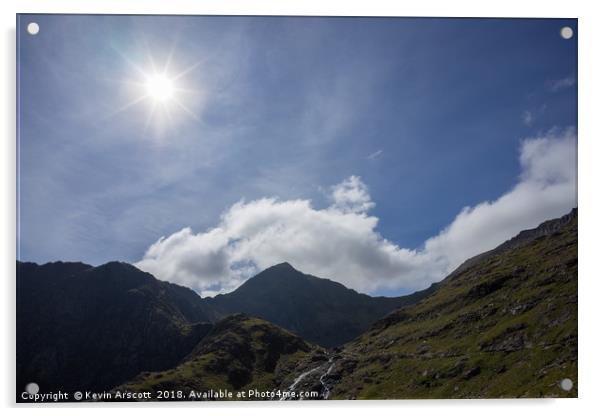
<point>319,310</point>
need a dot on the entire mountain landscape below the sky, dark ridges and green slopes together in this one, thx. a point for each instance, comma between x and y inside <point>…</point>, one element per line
<point>504,324</point>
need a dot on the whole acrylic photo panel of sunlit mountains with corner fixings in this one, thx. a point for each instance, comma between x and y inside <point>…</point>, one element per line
<point>295,208</point>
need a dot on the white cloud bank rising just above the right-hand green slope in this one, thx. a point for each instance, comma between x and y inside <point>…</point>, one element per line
<point>546,189</point>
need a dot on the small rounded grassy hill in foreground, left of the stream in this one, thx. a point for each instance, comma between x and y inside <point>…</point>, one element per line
<point>241,353</point>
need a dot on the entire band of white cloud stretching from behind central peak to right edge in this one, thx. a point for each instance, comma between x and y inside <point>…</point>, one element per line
<point>341,242</point>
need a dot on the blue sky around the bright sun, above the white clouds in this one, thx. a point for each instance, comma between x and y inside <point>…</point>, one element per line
<point>431,114</point>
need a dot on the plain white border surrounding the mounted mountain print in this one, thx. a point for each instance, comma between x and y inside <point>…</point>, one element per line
<point>590,209</point>
